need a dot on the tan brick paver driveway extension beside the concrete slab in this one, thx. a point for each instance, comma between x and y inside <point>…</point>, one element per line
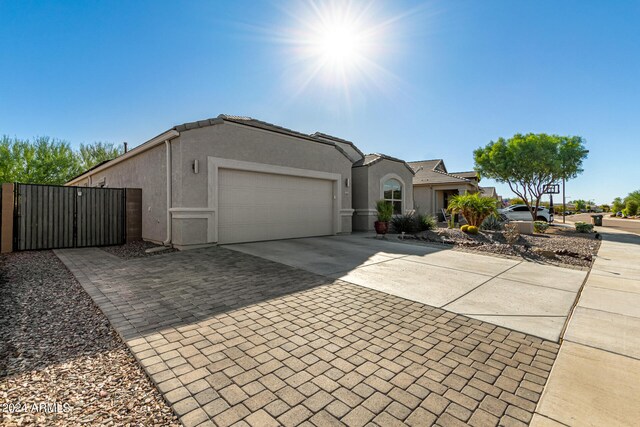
<point>233,339</point>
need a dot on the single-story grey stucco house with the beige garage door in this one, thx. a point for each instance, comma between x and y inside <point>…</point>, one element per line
<point>236,179</point>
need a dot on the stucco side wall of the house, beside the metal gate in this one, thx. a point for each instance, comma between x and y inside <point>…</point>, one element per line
<point>146,171</point>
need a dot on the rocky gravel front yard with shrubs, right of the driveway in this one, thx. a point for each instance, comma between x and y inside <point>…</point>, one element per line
<point>559,245</point>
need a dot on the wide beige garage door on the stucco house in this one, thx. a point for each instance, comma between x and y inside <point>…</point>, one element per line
<point>257,206</point>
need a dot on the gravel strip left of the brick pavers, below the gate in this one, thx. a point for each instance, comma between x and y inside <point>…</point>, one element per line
<point>58,348</point>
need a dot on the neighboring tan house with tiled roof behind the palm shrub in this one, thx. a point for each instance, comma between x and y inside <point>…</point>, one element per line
<point>433,185</point>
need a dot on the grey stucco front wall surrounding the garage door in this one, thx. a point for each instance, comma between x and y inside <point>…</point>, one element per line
<point>245,144</point>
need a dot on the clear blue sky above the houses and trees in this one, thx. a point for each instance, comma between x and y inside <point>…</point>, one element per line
<point>438,79</point>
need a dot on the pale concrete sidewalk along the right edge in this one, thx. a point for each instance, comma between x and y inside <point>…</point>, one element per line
<point>596,377</point>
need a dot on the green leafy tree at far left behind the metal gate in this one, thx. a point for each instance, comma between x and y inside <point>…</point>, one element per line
<point>43,161</point>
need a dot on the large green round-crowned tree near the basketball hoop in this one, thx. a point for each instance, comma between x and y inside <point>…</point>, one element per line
<point>527,163</point>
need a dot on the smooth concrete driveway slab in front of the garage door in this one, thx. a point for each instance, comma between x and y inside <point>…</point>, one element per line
<point>525,296</point>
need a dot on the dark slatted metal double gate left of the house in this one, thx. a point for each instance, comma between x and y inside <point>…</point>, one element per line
<point>51,217</point>
